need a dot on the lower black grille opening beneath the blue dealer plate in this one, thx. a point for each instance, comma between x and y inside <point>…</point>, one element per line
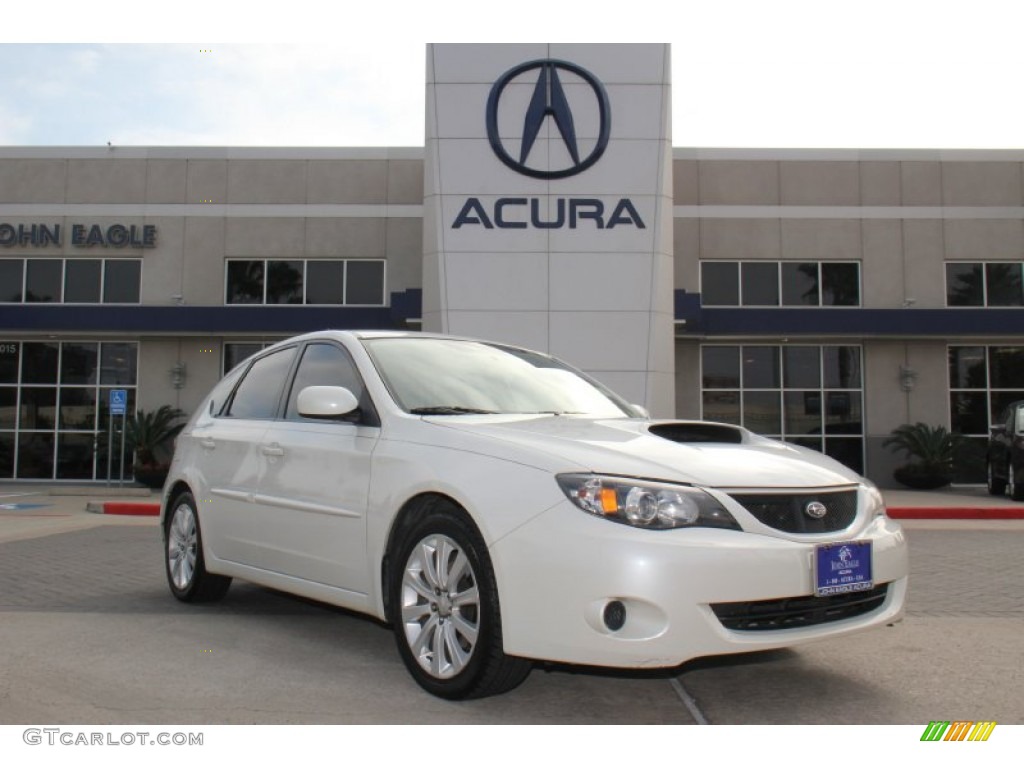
<point>791,613</point>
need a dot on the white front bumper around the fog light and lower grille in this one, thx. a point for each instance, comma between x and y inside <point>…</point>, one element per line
<point>558,574</point>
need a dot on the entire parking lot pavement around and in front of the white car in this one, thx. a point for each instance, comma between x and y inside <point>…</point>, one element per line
<point>92,635</point>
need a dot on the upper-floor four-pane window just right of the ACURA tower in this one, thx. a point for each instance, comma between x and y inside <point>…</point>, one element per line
<point>781,284</point>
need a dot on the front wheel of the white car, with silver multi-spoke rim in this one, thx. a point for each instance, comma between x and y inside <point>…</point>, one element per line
<point>445,610</point>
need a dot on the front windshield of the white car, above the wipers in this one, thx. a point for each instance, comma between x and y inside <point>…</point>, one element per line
<point>449,377</point>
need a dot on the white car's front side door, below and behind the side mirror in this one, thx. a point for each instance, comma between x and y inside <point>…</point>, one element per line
<point>316,480</point>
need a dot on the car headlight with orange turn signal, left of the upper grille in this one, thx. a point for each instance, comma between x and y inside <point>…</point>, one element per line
<point>645,504</point>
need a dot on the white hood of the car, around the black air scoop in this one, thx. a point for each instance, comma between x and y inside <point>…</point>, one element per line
<point>699,453</point>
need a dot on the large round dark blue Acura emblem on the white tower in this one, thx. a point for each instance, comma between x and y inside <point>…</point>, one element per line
<point>549,101</point>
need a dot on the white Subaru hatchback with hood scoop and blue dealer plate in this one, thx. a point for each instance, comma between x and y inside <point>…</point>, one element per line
<point>495,506</point>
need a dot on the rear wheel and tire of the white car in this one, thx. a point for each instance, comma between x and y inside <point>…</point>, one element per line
<point>185,565</point>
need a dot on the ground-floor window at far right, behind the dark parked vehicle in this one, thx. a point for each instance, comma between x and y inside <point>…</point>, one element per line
<point>984,380</point>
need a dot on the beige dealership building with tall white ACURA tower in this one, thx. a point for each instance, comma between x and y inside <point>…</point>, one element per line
<point>821,297</point>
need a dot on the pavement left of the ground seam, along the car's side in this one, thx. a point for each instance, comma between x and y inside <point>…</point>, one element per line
<point>92,634</point>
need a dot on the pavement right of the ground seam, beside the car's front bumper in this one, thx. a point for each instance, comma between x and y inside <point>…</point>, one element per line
<point>956,657</point>
